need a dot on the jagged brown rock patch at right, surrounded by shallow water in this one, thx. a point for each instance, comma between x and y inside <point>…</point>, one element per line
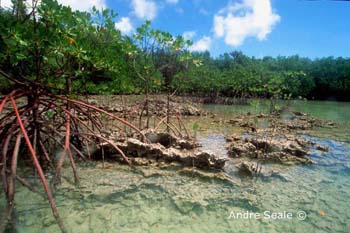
<point>272,137</point>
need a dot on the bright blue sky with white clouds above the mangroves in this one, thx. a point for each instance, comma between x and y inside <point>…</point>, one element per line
<point>255,27</point>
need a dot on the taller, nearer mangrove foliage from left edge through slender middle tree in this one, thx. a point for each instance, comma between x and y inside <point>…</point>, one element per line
<point>84,48</point>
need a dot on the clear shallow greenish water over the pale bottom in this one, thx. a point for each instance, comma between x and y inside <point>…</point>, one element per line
<point>150,199</point>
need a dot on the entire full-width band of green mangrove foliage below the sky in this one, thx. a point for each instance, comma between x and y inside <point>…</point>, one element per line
<point>86,49</point>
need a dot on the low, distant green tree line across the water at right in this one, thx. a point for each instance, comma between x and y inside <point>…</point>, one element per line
<point>237,75</point>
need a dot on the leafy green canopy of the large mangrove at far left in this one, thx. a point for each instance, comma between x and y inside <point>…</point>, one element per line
<point>56,44</point>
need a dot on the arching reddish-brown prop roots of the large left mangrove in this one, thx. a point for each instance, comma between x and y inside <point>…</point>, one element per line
<point>41,125</point>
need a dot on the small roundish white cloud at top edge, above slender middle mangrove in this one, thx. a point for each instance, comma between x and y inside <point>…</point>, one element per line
<point>144,9</point>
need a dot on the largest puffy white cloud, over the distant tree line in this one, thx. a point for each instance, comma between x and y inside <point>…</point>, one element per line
<point>249,18</point>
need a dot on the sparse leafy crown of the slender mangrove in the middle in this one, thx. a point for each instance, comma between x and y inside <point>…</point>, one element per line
<point>157,56</point>
